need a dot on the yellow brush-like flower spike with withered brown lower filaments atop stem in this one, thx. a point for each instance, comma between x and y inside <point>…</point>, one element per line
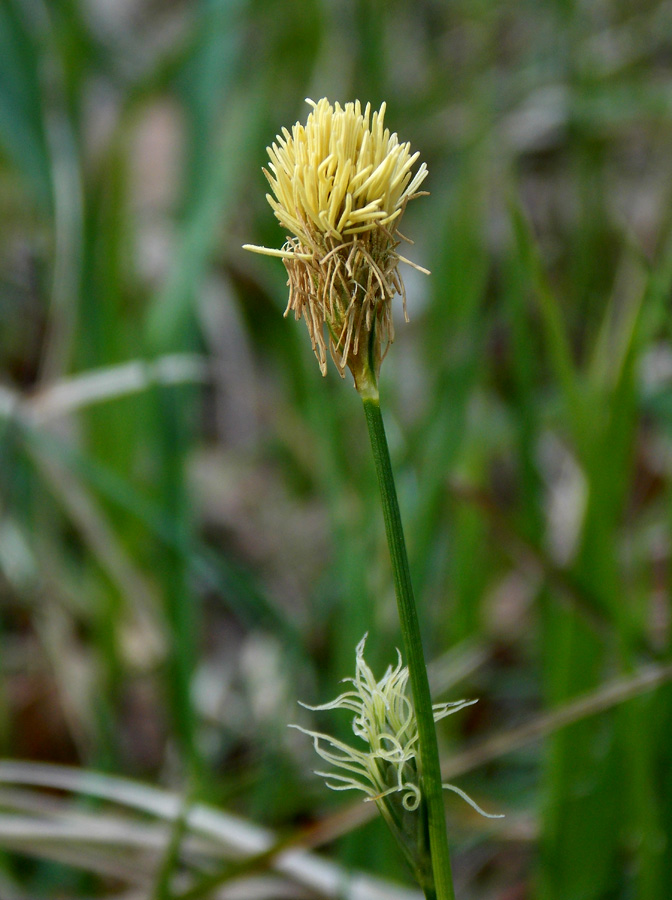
<point>340,184</point>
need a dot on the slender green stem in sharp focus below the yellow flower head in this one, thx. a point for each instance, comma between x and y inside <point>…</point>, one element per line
<point>429,766</point>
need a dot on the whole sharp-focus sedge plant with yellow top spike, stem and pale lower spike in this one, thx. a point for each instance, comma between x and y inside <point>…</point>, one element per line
<point>340,185</point>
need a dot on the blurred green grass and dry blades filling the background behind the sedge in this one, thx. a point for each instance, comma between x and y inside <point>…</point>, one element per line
<point>190,538</point>
